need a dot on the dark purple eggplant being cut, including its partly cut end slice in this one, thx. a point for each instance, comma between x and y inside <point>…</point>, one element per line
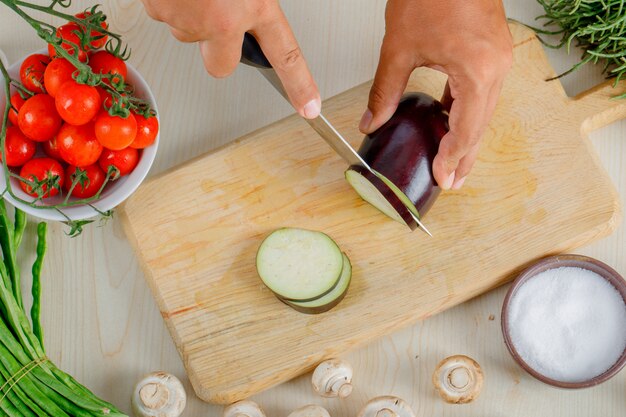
<point>401,152</point>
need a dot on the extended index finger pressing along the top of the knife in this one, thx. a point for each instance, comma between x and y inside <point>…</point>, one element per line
<point>282,51</point>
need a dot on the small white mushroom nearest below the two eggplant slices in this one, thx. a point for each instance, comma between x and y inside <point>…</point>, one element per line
<point>332,378</point>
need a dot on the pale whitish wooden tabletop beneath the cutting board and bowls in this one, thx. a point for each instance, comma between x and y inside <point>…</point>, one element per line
<point>102,324</point>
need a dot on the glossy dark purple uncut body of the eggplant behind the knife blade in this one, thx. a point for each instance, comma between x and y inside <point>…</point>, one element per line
<point>403,149</point>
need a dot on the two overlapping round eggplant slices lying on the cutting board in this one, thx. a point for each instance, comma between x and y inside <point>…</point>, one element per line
<point>304,269</point>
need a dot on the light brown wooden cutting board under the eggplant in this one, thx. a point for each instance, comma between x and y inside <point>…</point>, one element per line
<point>537,189</point>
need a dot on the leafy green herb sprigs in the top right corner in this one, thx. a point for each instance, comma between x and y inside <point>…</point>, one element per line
<point>597,26</point>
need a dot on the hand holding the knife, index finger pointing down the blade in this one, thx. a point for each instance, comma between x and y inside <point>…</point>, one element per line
<point>219,27</point>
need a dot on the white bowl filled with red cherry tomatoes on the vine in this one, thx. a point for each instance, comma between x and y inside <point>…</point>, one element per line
<point>67,157</point>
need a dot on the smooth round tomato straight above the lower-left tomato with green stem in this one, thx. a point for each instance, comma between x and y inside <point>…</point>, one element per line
<point>38,118</point>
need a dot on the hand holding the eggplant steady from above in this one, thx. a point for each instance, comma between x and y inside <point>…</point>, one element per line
<point>470,42</point>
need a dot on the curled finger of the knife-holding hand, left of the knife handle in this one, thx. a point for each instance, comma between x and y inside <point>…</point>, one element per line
<point>221,55</point>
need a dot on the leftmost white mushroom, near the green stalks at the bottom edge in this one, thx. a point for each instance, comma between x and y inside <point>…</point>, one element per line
<point>159,394</point>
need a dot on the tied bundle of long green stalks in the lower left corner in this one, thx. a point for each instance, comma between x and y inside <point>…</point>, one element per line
<point>30,384</point>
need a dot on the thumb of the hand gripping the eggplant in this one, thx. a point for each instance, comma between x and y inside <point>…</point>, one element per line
<point>392,76</point>
